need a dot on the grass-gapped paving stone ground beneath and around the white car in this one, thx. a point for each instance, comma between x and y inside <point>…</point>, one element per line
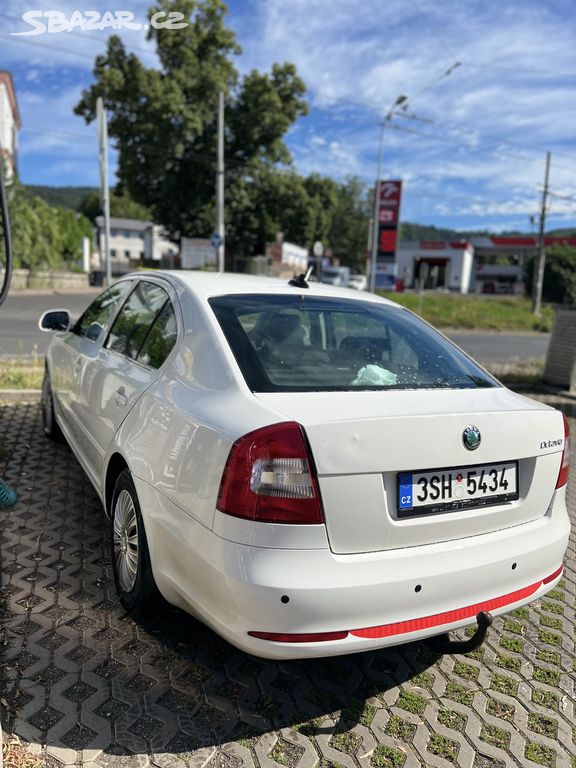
<point>87,685</point>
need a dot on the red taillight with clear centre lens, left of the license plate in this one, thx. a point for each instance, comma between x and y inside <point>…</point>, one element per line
<point>270,477</point>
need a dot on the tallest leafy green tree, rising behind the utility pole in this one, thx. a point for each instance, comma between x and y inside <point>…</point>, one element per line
<point>164,123</point>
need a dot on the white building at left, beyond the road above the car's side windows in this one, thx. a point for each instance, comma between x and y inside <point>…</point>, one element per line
<point>134,244</point>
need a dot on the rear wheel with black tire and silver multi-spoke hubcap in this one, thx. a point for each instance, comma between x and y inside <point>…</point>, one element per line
<point>130,556</point>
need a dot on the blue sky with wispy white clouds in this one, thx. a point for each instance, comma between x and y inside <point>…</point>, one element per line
<point>489,88</point>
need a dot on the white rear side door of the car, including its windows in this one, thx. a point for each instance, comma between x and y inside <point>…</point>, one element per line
<point>138,343</point>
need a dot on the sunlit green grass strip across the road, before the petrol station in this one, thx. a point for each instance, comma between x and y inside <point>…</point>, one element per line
<point>502,313</point>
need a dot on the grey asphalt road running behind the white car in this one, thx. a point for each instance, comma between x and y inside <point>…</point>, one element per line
<point>20,335</point>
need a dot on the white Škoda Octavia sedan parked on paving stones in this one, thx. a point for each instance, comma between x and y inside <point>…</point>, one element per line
<point>309,471</point>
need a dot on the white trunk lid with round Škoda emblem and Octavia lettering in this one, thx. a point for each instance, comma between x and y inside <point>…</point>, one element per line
<point>362,441</point>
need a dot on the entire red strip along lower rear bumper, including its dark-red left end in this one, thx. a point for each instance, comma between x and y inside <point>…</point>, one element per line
<point>412,625</point>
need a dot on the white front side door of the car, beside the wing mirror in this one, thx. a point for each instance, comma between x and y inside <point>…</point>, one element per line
<point>69,352</point>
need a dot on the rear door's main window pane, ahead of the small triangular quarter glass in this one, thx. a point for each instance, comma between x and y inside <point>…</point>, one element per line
<point>136,318</point>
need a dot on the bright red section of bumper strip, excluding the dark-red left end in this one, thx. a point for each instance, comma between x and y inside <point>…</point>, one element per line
<point>448,617</point>
